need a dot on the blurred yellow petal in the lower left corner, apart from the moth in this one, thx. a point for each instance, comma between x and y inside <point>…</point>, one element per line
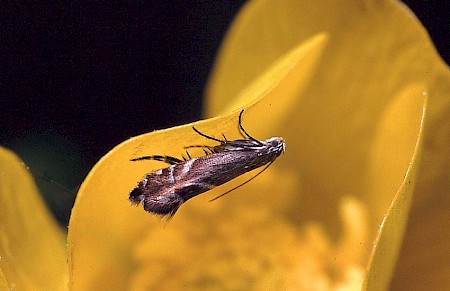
<point>32,247</point>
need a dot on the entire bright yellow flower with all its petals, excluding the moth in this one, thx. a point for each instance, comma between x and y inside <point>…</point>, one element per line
<point>359,199</point>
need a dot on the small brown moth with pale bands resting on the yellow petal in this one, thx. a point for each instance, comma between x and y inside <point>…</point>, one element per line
<point>162,192</point>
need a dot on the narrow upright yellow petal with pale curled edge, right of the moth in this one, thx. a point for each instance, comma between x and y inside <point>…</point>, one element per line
<point>389,152</point>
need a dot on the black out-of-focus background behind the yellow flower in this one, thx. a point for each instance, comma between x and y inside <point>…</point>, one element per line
<point>78,79</point>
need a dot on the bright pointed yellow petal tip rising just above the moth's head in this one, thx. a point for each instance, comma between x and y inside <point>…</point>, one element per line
<point>287,77</point>
